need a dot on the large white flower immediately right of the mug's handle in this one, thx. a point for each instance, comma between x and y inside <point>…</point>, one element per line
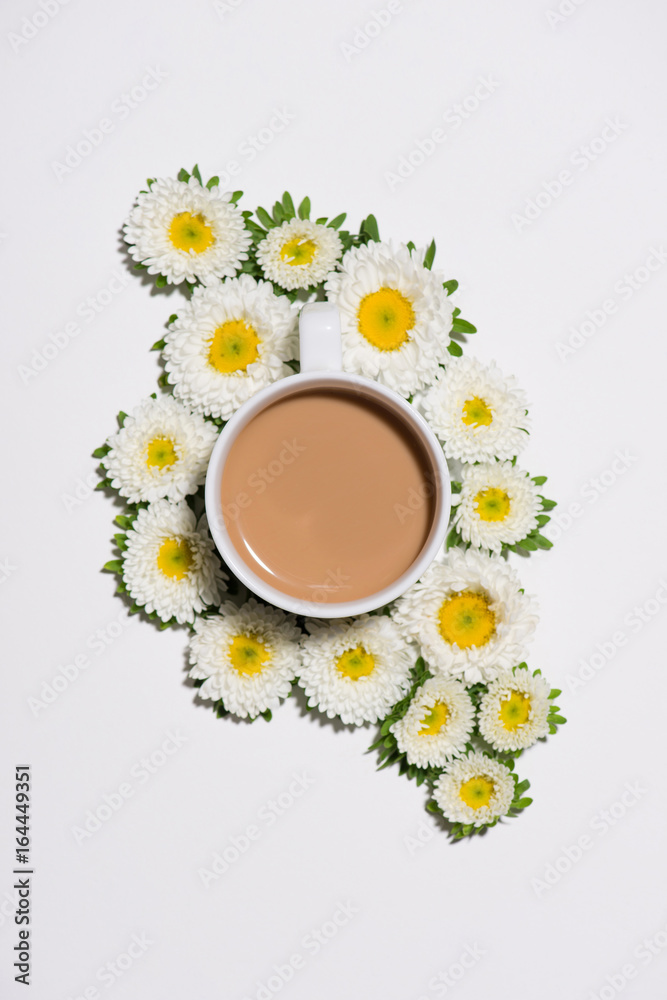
<point>395,316</point>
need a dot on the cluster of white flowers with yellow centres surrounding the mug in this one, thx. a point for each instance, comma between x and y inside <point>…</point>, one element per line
<point>467,617</point>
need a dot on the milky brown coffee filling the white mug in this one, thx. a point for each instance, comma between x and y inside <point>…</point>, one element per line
<point>327,495</point>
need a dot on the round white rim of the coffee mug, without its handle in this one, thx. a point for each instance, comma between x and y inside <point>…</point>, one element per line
<point>242,417</point>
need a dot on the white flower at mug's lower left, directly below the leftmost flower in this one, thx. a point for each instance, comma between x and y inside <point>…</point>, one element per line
<point>170,565</point>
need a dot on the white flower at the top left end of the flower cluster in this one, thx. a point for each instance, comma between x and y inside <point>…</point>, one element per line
<point>184,231</point>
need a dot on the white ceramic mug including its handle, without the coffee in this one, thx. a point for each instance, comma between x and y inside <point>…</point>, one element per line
<point>321,367</point>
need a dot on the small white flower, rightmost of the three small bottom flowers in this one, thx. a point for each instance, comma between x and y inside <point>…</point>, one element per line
<point>513,713</point>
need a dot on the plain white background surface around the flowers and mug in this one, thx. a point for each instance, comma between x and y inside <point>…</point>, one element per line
<point>351,836</point>
